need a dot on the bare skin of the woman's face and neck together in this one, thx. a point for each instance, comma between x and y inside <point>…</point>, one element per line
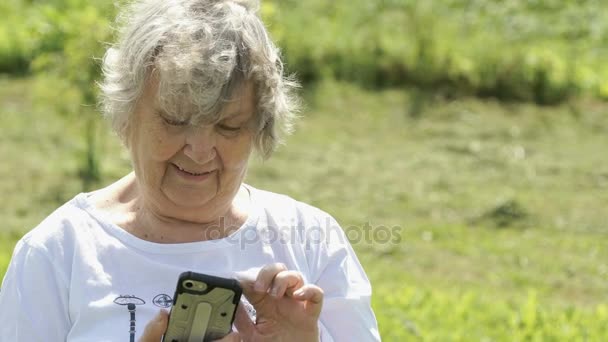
<point>160,203</point>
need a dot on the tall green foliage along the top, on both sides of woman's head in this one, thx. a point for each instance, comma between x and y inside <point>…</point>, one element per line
<point>538,51</point>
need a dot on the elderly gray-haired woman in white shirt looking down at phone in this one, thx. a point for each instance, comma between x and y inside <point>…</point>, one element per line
<point>192,88</point>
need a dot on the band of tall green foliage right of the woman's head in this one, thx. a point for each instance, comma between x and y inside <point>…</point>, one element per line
<point>504,50</point>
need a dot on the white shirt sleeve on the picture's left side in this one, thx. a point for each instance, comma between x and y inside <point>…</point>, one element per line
<point>33,298</point>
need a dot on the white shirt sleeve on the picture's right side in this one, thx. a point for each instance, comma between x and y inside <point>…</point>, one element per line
<point>347,314</point>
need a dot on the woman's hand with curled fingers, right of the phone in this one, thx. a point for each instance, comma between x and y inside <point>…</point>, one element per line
<point>286,308</point>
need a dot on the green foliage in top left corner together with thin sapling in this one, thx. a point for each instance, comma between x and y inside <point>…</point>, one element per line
<point>61,38</point>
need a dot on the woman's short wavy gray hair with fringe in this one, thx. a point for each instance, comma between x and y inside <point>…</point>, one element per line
<point>202,52</point>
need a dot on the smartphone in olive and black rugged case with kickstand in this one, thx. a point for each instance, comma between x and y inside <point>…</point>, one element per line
<point>203,308</point>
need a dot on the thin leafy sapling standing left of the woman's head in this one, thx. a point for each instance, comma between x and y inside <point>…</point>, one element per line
<point>72,49</point>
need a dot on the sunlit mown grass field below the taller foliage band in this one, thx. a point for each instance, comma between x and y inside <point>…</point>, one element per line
<point>500,207</point>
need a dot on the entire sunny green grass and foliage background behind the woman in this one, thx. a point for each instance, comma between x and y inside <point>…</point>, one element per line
<point>474,131</point>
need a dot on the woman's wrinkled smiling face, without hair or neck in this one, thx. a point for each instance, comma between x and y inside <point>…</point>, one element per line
<point>187,171</point>
